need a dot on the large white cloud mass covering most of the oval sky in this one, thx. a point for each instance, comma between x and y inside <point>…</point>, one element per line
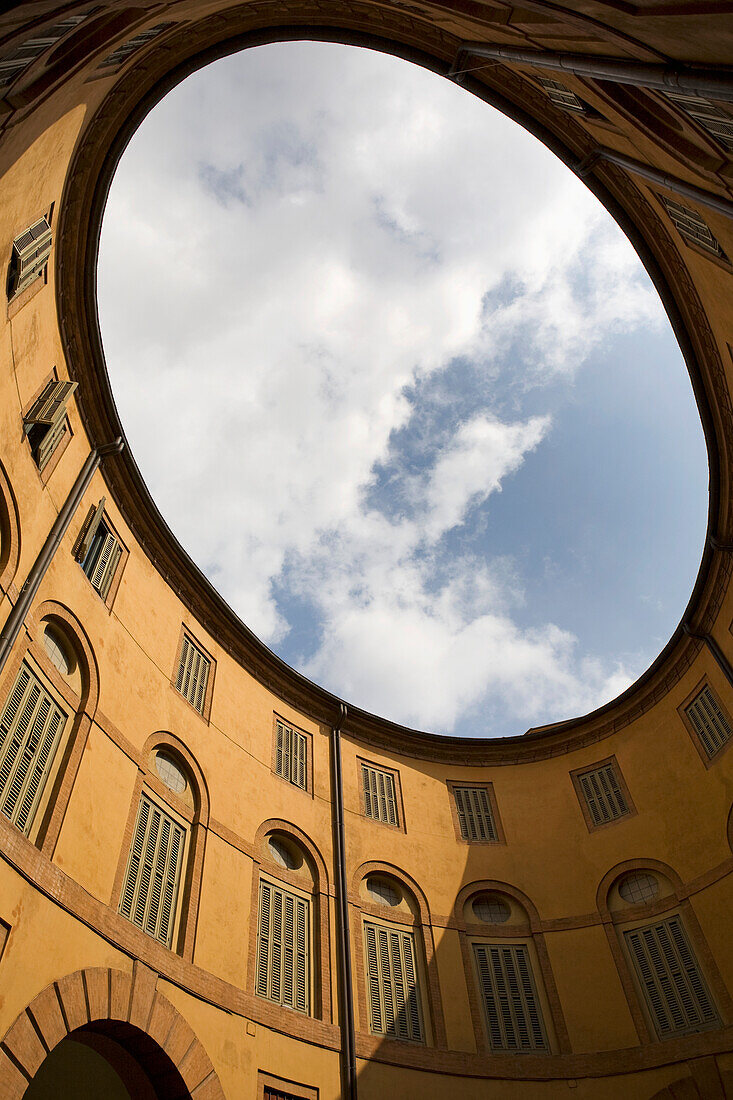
<point>293,263</point>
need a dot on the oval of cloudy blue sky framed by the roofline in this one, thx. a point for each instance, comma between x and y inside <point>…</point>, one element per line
<point>402,390</point>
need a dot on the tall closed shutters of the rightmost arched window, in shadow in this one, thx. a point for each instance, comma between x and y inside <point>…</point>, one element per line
<point>669,973</point>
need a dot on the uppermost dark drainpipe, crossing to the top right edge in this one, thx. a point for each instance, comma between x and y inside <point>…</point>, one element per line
<point>699,81</point>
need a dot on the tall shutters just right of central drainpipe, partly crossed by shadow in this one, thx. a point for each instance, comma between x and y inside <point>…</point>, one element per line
<point>395,1002</point>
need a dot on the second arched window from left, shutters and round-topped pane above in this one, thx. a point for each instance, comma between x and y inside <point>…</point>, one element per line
<point>167,830</point>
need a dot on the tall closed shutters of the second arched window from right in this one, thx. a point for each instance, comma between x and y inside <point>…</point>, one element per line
<point>511,1005</point>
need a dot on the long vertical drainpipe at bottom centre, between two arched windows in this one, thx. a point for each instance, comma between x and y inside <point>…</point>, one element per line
<point>346,984</point>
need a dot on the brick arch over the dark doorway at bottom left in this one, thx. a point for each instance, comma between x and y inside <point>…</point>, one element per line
<point>125,1006</point>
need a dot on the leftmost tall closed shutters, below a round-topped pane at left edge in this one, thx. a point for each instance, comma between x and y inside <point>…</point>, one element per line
<point>30,732</point>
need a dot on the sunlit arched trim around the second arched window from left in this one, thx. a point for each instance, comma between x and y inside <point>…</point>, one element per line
<point>196,819</point>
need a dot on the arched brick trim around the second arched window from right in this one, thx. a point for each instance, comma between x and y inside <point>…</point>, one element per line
<point>530,932</point>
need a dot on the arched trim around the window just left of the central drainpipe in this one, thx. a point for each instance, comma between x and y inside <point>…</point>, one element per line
<point>318,886</point>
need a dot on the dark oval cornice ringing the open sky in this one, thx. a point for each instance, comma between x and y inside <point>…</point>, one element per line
<point>403,30</point>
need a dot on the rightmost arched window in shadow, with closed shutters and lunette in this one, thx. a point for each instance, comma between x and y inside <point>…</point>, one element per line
<point>671,984</point>
